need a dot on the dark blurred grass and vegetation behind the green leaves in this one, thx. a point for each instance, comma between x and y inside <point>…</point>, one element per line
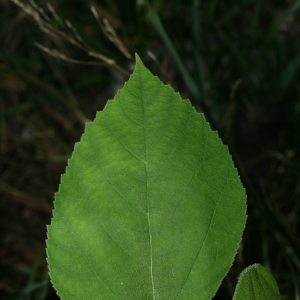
<point>237,61</point>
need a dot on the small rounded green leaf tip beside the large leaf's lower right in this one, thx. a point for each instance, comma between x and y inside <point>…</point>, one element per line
<point>256,283</point>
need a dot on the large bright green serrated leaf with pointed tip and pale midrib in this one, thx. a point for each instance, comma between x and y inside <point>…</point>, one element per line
<point>150,207</point>
